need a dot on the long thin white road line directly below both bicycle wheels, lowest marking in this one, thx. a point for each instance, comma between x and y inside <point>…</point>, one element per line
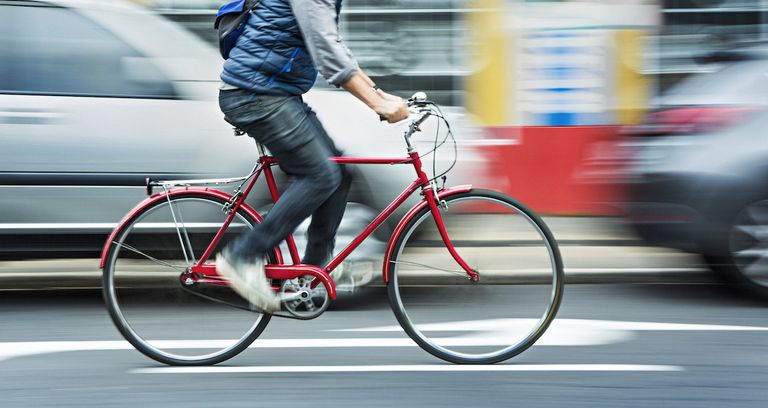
<point>410,368</point>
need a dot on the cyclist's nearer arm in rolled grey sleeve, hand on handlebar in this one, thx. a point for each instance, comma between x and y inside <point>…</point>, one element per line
<point>317,21</point>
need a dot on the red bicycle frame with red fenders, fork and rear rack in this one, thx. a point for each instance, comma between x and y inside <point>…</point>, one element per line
<point>205,272</point>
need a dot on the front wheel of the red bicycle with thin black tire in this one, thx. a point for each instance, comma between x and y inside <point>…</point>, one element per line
<point>418,318</point>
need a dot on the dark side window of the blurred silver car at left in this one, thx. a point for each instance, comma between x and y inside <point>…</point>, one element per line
<point>56,51</point>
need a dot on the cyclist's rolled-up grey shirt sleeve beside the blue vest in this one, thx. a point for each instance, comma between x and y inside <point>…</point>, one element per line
<point>318,23</point>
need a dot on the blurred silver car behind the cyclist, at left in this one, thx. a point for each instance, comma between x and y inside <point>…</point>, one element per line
<point>96,96</point>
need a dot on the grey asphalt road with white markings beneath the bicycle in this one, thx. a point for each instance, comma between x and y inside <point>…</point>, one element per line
<point>618,345</point>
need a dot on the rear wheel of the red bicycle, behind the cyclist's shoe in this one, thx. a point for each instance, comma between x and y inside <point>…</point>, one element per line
<point>160,315</point>
